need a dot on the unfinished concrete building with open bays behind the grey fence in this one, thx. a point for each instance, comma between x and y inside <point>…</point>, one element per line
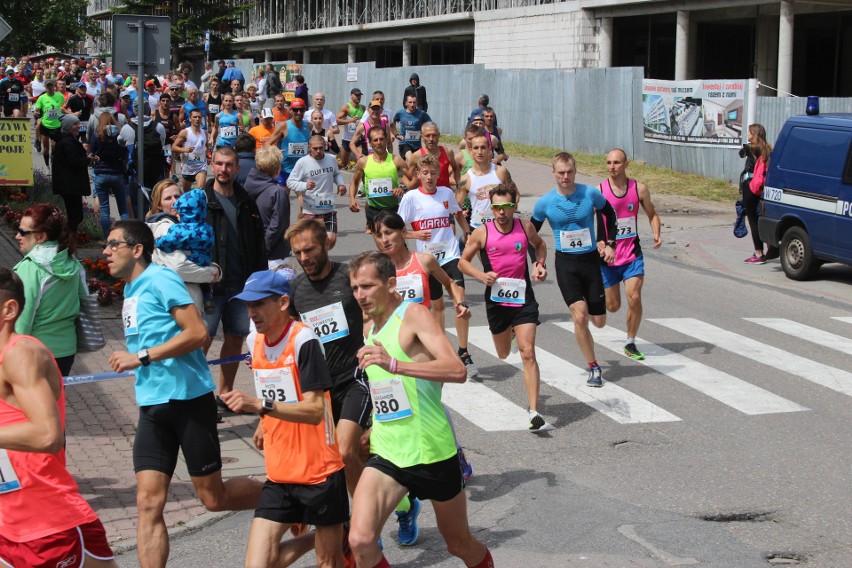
<point>794,46</point>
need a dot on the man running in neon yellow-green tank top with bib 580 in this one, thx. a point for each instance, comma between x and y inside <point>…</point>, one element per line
<point>407,358</point>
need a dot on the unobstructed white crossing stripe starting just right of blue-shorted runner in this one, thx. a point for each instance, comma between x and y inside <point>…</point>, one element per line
<point>813,371</point>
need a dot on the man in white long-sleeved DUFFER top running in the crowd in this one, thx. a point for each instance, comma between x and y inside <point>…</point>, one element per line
<point>314,178</point>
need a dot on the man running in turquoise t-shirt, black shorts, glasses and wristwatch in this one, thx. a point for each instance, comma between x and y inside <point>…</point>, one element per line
<point>174,391</point>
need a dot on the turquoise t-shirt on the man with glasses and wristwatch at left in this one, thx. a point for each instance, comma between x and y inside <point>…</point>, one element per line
<point>148,322</point>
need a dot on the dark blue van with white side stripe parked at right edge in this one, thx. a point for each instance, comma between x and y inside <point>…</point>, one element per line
<point>808,194</point>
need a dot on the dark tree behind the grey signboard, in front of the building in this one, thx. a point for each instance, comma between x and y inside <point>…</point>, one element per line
<point>191,18</point>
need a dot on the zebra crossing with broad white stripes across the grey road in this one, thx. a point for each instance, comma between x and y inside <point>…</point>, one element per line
<point>491,411</point>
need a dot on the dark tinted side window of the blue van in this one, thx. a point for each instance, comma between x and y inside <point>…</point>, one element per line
<point>816,151</point>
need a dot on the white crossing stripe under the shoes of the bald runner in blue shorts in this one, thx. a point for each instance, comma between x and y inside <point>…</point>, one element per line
<point>727,389</point>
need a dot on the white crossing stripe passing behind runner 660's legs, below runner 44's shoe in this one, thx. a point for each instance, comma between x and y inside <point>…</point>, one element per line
<point>613,401</point>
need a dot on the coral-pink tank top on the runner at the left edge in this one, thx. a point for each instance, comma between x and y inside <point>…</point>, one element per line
<point>48,501</point>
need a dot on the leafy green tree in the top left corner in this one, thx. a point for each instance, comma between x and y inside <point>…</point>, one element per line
<point>56,23</point>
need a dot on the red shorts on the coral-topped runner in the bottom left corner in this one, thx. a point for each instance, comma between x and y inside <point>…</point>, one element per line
<point>61,550</point>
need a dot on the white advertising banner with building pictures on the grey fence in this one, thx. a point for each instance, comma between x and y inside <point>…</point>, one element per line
<point>698,113</point>
